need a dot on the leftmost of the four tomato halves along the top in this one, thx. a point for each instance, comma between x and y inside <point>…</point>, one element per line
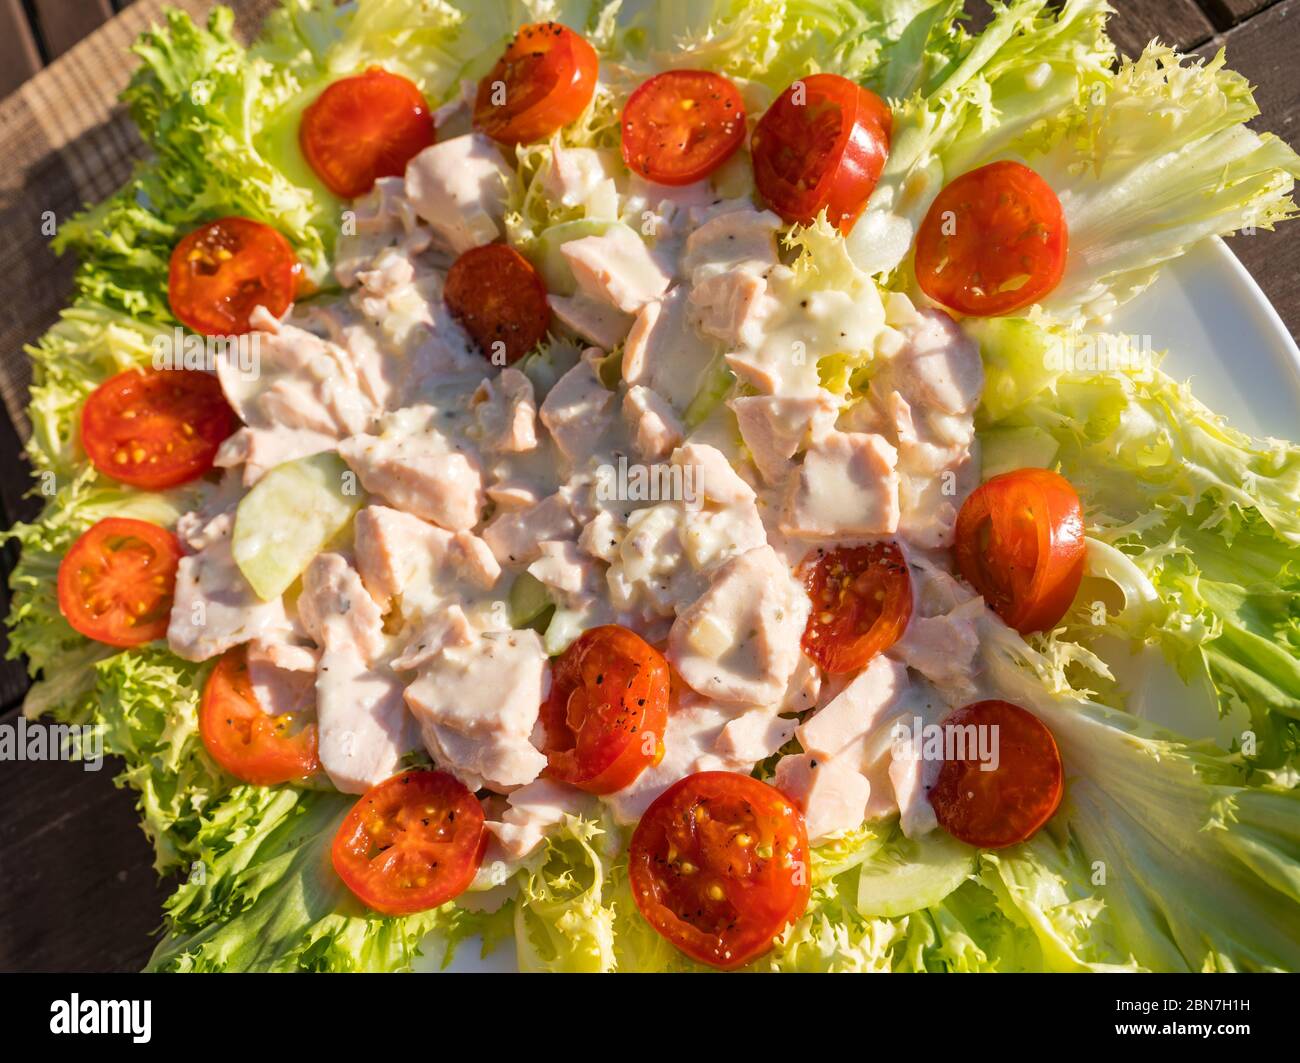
<point>365,128</point>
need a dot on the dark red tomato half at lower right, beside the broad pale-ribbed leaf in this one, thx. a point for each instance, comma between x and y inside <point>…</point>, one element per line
<point>1004,806</point>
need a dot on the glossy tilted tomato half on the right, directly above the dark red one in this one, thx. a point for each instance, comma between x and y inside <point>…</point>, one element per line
<point>1020,544</point>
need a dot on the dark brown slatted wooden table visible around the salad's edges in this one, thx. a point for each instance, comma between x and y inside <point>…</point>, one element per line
<point>77,892</point>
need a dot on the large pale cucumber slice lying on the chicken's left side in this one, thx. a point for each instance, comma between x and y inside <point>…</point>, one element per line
<point>288,519</point>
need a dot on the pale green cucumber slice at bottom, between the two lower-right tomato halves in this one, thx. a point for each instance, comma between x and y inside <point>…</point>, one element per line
<point>907,875</point>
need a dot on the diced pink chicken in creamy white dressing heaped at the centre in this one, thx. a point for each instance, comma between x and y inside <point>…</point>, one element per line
<point>613,484</point>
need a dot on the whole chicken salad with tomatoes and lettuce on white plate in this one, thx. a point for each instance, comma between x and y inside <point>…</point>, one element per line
<point>618,487</point>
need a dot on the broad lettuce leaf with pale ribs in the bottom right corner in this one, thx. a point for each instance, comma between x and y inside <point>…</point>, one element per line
<point>1197,870</point>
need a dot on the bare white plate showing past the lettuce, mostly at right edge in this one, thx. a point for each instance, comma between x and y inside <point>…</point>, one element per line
<point>1224,336</point>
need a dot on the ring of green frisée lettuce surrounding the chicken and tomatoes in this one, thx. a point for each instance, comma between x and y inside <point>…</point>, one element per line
<point>1175,851</point>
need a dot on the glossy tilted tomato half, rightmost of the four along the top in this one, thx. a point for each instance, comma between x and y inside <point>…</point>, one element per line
<point>822,145</point>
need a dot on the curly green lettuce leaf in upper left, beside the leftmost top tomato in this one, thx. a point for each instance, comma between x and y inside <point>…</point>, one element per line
<point>202,105</point>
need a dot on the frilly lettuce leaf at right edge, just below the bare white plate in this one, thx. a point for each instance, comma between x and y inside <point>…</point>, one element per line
<point>1197,524</point>
